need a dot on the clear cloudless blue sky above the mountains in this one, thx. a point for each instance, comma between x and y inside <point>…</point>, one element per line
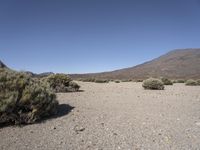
<point>82,36</point>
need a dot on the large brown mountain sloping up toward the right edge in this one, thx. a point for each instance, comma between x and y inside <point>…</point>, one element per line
<point>176,64</point>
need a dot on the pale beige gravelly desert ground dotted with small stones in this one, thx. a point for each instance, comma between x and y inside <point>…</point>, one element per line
<point>115,116</point>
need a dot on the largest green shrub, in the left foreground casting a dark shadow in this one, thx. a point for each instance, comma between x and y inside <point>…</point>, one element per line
<point>23,99</point>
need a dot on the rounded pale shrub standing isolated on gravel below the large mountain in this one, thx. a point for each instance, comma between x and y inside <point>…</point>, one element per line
<point>154,84</point>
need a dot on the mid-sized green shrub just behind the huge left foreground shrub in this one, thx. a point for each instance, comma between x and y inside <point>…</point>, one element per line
<point>62,83</point>
